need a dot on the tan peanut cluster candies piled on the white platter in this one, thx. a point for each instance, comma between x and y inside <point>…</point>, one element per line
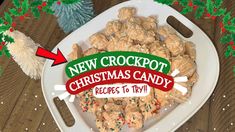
<point>138,34</point>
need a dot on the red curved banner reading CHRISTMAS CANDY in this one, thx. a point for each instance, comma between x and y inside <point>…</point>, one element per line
<point>119,74</point>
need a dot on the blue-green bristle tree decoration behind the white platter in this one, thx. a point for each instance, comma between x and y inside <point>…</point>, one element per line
<point>72,16</point>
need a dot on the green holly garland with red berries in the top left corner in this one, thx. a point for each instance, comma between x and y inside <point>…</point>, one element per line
<point>22,9</point>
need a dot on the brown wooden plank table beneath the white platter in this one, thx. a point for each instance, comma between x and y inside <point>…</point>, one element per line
<point>23,108</point>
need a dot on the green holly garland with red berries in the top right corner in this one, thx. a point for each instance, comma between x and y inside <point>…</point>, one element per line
<point>211,9</point>
